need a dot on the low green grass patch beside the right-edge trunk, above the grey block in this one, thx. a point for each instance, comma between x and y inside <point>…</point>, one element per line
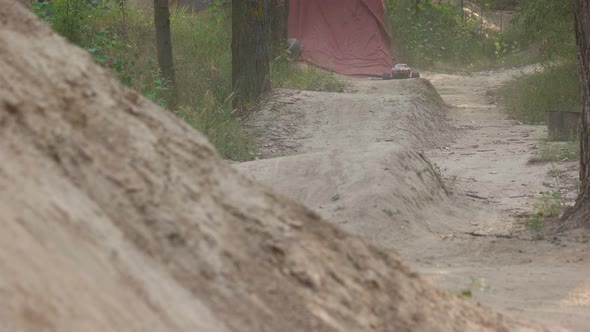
<point>529,96</point>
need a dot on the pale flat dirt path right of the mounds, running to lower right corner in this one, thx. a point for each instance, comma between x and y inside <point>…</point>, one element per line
<point>488,163</point>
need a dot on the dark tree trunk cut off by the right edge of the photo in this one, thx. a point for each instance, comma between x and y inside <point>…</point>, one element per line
<point>580,214</point>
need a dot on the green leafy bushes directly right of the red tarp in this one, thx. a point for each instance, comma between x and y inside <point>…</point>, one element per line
<point>426,32</point>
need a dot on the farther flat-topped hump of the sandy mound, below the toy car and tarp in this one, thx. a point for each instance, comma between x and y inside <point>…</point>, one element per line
<point>297,122</point>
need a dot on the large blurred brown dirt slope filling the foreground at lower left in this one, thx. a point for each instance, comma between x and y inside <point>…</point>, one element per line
<point>116,216</point>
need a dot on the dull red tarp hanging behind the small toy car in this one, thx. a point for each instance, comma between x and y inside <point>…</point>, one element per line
<point>346,36</point>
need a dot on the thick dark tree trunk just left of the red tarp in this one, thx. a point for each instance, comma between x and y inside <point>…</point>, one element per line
<point>250,50</point>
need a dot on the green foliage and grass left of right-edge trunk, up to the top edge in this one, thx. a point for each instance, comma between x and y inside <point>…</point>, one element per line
<point>549,24</point>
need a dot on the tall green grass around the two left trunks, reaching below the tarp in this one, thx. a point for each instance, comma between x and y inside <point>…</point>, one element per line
<point>123,40</point>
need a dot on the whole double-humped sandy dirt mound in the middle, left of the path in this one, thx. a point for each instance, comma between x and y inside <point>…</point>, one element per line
<point>354,158</point>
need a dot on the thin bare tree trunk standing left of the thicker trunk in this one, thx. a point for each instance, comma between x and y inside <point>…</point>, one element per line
<point>164,47</point>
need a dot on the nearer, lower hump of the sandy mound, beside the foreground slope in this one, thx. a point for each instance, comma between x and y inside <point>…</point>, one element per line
<point>382,191</point>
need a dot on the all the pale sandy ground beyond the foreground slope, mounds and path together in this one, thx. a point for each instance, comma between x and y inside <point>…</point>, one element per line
<point>441,181</point>
